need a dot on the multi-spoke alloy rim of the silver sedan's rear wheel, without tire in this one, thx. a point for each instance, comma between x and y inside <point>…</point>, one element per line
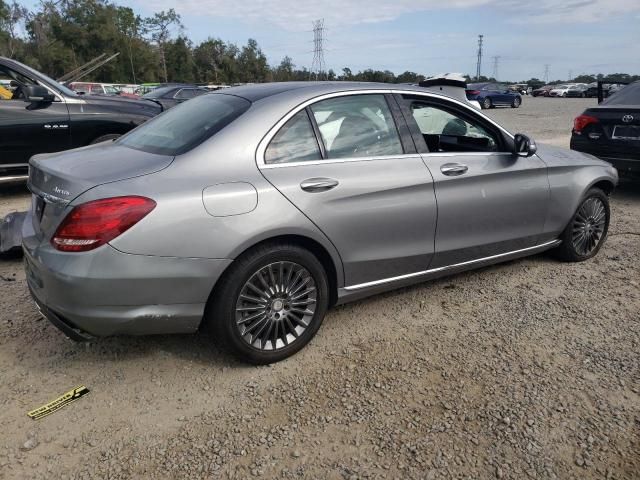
<point>276,305</point>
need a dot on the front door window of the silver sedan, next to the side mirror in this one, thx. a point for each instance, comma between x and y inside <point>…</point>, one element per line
<point>444,131</point>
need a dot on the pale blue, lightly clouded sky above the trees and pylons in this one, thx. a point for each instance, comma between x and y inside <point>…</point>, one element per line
<point>428,36</point>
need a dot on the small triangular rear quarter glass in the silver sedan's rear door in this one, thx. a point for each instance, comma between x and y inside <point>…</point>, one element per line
<point>294,142</point>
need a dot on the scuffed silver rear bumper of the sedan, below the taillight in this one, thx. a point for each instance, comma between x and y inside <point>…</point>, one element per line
<point>107,292</point>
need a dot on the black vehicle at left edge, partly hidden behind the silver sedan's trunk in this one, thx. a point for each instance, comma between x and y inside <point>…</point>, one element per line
<point>42,116</point>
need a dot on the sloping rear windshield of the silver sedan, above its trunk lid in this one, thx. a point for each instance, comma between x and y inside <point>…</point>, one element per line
<point>186,126</point>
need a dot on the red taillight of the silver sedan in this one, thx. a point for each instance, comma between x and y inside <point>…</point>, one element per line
<point>95,223</point>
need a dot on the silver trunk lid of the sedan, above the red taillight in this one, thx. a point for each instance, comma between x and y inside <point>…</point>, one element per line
<point>61,177</point>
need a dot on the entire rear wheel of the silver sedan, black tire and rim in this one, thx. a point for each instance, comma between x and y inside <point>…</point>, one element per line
<point>256,341</point>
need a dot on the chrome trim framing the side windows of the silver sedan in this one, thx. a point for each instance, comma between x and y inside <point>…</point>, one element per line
<point>264,143</point>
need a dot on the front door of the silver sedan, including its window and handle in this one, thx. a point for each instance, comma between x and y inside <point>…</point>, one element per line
<point>489,200</point>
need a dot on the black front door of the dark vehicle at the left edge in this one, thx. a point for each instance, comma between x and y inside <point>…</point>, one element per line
<point>29,128</point>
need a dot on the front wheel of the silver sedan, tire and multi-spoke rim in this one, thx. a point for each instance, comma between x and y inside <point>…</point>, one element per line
<point>589,224</point>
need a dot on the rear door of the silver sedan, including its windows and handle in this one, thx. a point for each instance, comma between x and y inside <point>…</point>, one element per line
<point>343,163</point>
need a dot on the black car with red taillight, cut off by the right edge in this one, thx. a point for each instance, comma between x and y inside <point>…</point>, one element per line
<point>611,130</point>
